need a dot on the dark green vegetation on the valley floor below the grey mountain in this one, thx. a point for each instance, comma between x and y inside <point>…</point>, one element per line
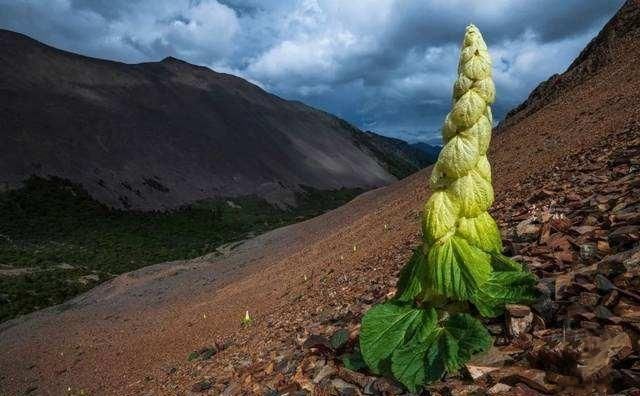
<point>56,241</point>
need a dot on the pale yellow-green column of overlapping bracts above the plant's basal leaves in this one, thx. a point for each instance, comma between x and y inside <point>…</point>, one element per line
<point>458,231</point>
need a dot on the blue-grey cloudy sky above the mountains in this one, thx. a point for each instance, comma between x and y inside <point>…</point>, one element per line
<point>384,65</point>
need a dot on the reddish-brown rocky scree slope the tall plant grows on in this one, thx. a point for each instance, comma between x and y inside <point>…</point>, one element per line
<point>566,196</point>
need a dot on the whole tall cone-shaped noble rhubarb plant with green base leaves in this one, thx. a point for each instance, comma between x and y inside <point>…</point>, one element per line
<point>427,328</point>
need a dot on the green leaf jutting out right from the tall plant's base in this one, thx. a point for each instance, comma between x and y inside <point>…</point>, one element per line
<point>504,287</point>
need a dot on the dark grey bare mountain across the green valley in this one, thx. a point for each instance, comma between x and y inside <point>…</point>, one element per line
<point>163,134</point>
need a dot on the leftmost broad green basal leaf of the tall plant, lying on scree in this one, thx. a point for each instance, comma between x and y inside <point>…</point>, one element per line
<point>384,328</point>
